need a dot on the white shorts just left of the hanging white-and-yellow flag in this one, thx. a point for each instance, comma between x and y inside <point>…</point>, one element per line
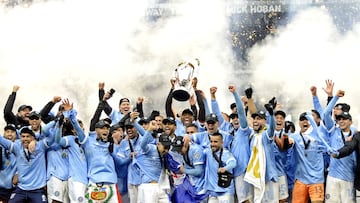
<point>244,190</point>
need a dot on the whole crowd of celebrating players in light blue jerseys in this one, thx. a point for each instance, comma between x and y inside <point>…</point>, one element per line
<point>198,155</point>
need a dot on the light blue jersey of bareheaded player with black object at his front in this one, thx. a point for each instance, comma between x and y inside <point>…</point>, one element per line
<point>211,172</point>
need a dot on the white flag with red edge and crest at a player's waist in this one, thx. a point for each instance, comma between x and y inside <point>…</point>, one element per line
<point>100,193</point>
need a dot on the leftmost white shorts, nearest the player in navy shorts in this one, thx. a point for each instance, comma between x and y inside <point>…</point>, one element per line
<point>57,189</point>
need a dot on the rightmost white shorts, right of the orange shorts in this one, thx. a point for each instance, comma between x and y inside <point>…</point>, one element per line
<point>339,190</point>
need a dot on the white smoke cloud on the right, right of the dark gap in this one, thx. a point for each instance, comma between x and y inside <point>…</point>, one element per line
<point>309,50</point>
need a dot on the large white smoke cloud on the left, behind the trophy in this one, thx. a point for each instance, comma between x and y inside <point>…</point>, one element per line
<point>66,47</point>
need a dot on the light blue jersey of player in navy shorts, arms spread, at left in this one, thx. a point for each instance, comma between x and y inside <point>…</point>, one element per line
<point>31,167</point>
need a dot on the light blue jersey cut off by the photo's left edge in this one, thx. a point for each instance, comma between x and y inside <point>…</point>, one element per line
<point>8,169</point>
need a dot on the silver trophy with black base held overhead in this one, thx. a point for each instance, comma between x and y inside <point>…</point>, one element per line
<point>184,75</point>
